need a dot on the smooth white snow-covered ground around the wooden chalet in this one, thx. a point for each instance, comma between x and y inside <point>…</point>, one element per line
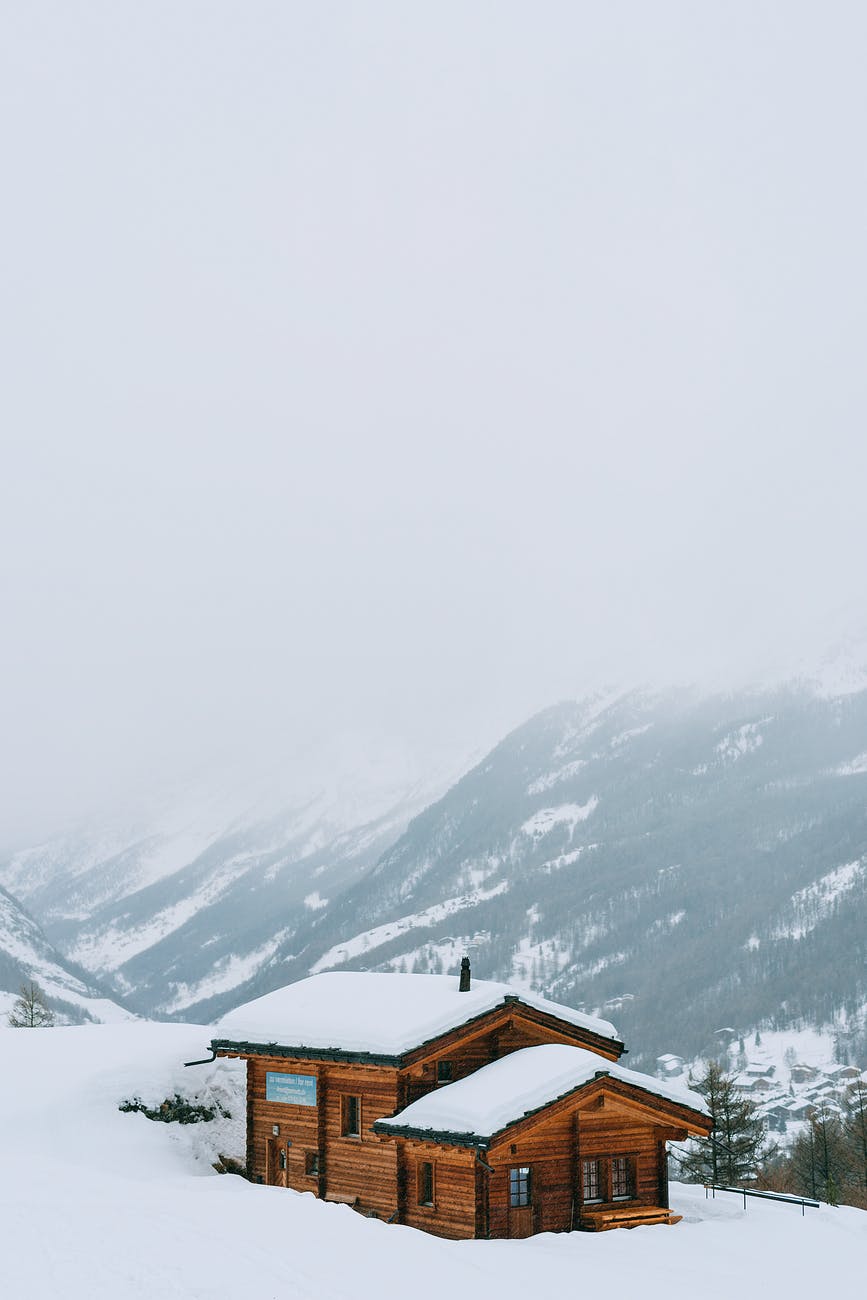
<point>102,1206</point>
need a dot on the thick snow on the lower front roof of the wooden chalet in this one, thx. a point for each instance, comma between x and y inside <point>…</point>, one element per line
<point>504,1093</point>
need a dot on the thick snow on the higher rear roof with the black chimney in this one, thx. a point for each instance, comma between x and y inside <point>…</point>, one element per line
<point>379,1013</point>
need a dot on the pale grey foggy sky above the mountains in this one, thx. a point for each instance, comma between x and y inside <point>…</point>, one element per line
<point>401,370</point>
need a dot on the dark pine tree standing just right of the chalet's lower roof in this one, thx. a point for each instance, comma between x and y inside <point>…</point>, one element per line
<point>739,1143</point>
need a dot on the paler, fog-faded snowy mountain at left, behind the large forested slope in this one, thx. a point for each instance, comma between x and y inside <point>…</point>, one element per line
<point>189,905</point>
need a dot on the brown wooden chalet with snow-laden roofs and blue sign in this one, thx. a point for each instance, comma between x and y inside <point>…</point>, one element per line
<point>467,1111</point>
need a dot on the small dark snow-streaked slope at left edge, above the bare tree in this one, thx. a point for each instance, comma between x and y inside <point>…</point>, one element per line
<point>25,955</point>
